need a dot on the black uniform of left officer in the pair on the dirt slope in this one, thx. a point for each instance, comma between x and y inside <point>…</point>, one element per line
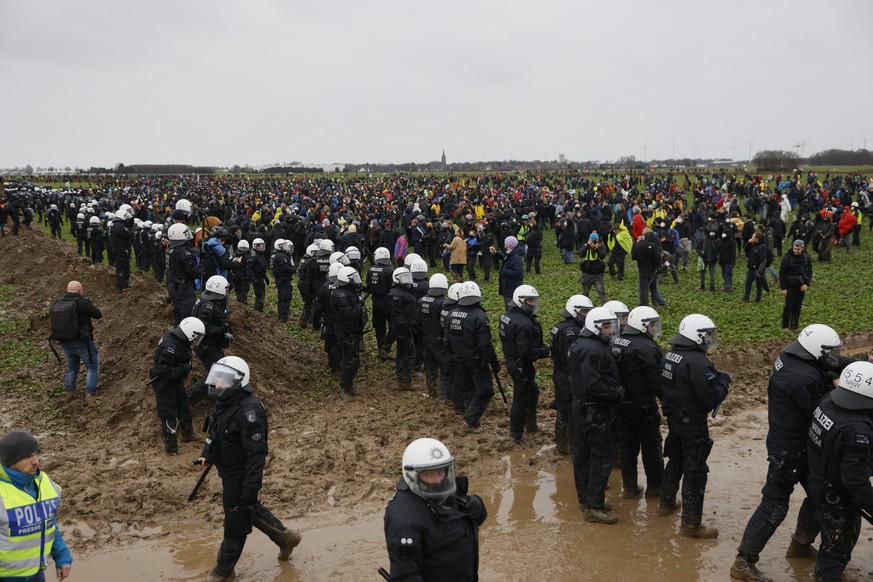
<point>172,363</point>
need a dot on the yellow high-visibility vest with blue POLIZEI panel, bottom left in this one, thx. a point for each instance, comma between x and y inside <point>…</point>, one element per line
<point>27,526</point>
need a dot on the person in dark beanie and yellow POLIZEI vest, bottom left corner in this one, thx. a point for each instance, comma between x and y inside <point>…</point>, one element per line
<point>29,502</point>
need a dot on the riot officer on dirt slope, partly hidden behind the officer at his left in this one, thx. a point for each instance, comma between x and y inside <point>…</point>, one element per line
<point>211,309</point>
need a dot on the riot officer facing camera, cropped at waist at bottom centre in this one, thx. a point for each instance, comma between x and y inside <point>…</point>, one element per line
<point>431,523</point>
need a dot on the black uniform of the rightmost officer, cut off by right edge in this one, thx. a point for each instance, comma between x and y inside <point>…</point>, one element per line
<point>840,467</point>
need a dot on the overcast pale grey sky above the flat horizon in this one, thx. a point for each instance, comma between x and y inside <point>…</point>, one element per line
<point>216,82</point>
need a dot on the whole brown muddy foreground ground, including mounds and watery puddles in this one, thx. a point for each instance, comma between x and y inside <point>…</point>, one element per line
<point>333,463</point>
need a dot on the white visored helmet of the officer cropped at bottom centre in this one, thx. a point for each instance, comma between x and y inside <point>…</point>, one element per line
<point>429,469</point>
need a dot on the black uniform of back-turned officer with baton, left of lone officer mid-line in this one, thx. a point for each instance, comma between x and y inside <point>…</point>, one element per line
<point>467,335</point>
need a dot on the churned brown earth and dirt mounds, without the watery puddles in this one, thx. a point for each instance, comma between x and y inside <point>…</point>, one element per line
<point>324,451</point>
